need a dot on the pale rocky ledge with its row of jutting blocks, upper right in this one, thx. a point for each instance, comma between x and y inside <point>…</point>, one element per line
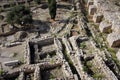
<point>107,14</point>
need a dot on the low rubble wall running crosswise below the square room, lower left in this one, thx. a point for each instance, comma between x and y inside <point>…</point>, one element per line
<point>31,68</point>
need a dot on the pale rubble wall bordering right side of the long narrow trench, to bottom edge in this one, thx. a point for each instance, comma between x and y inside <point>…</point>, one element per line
<point>77,59</point>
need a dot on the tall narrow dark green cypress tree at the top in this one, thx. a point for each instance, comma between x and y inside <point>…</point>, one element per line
<point>52,8</point>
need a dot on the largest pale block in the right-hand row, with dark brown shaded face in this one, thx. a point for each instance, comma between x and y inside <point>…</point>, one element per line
<point>114,39</point>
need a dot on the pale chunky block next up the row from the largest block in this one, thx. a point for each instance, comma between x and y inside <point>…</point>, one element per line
<point>105,26</point>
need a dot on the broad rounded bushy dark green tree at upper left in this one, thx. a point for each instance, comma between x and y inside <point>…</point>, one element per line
<point>19,15</point>
